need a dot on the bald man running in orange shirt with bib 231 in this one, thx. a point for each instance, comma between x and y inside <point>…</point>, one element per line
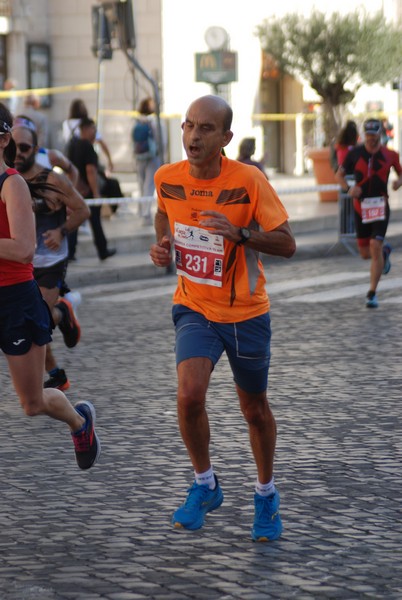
<point>220,214</point>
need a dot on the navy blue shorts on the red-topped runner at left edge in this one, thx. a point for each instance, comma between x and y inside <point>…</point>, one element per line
<point>25,318</point>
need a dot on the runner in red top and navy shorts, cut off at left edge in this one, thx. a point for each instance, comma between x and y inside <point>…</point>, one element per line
<point>25,326</point>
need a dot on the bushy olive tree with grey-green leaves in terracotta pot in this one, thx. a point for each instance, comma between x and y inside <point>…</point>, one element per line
<point>335,54</point>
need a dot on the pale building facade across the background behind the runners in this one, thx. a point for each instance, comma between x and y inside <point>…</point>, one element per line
<point>49,43</point>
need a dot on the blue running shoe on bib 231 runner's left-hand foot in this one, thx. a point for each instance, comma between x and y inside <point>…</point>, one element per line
<point>200,500</point>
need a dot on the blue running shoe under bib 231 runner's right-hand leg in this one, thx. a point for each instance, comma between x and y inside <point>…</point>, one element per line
<point>267,522</point>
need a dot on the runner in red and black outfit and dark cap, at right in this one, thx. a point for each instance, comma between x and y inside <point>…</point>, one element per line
<point>370,163</point>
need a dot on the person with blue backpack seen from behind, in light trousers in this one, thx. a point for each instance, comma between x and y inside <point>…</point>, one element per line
<point>147,155</point>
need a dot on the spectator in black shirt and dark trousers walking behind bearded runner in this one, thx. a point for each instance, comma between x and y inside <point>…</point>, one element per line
<point>82,154</point>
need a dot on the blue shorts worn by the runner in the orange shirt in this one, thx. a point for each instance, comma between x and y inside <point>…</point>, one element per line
<point>247,345</point>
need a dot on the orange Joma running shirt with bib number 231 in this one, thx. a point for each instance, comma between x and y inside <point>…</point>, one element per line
<point>224,282</point>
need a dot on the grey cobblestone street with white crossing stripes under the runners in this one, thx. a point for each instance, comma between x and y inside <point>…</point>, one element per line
<point>335,389</point>
